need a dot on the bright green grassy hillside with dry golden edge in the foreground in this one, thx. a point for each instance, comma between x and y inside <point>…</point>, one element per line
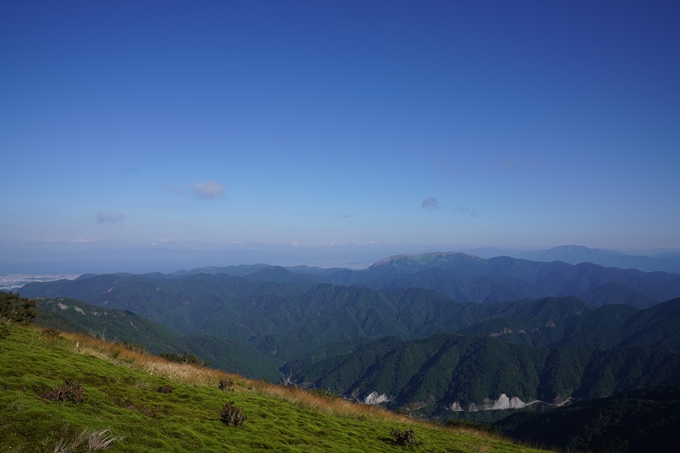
<point>120,393</point>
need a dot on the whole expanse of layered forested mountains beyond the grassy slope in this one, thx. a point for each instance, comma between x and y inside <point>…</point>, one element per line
<point>410,327</point>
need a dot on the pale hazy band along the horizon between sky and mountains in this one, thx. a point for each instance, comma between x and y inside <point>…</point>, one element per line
<point>168,259</point>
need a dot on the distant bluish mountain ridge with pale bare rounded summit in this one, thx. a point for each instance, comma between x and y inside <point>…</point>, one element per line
<point>467,278</point>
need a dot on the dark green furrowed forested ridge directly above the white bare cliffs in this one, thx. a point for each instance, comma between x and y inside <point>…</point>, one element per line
<point>447,368</point>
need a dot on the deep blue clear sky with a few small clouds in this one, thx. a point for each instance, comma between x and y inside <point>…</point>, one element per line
<point>446,124</point>
